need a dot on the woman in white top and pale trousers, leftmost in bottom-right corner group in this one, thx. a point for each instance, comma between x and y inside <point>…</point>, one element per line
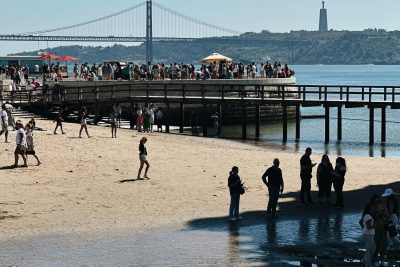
<point>368,235</point>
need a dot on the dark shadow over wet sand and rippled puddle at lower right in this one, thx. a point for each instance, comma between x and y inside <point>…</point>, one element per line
<point>300,235</point>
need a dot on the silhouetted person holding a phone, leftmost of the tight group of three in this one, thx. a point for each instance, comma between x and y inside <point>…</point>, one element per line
<point>306,167</point>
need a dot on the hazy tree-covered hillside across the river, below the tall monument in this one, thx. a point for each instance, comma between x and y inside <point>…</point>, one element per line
<point>371,46</point>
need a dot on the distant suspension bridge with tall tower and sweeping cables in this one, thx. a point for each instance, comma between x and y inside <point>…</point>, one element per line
<point>146,22</point>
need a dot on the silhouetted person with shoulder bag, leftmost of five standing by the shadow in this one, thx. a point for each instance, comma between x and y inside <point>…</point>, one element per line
<point>235,187</point>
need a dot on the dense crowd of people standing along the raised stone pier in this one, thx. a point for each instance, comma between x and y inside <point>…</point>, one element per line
<point>175,71</point>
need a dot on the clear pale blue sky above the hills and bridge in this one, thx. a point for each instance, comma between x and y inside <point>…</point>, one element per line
<point>243,16</point>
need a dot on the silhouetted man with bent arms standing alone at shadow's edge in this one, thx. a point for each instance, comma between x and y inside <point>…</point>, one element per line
<point>275,186</point>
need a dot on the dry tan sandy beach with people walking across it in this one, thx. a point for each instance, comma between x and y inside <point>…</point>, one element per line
<point>77,190</point>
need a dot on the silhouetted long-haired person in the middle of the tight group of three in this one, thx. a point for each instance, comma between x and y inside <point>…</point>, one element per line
<point>324,180</point>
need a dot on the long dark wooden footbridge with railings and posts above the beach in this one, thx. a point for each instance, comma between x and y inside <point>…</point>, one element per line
<point>241,93</point>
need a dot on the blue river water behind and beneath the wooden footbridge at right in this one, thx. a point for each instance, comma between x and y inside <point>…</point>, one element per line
<point>355,120</point>
